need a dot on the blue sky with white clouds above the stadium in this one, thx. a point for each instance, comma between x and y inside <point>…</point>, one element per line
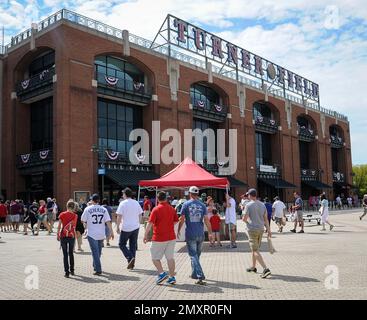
<point>325,41</point>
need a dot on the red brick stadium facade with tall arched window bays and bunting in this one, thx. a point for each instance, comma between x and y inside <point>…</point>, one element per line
<point>60,101</point>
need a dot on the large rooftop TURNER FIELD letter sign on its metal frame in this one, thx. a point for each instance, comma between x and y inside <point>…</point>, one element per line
<point>203,43</point>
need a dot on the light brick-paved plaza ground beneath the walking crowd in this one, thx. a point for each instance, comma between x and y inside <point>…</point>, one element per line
<point>298,268</point>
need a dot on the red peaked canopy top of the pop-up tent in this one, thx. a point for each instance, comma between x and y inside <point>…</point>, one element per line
<point>187,173</point>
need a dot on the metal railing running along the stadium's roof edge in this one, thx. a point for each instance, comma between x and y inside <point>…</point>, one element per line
<point>78,19</point>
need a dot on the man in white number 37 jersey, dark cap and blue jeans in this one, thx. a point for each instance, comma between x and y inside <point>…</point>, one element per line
<point>94,218</point>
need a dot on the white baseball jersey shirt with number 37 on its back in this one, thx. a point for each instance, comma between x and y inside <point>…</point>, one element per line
<point>96,216</point>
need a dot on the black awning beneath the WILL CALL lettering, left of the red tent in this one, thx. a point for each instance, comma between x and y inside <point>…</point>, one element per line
<point>129,178</point>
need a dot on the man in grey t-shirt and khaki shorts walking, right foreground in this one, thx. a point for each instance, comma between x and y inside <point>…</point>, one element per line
<point>256,217</point>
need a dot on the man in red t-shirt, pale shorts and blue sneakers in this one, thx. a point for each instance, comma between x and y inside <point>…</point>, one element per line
<point>163,219</point>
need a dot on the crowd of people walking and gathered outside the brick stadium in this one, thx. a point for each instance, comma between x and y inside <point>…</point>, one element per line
<point>165,219</point>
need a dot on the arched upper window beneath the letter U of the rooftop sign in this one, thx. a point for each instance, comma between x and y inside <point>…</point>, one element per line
<point>203,96</point>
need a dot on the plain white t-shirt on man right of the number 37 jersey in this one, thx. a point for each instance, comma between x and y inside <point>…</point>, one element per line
<point>130,210</point>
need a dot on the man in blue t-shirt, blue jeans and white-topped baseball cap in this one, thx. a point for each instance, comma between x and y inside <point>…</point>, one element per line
<point>194,214</point>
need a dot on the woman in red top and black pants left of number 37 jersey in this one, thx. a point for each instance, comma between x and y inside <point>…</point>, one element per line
<point>66,236</point>
